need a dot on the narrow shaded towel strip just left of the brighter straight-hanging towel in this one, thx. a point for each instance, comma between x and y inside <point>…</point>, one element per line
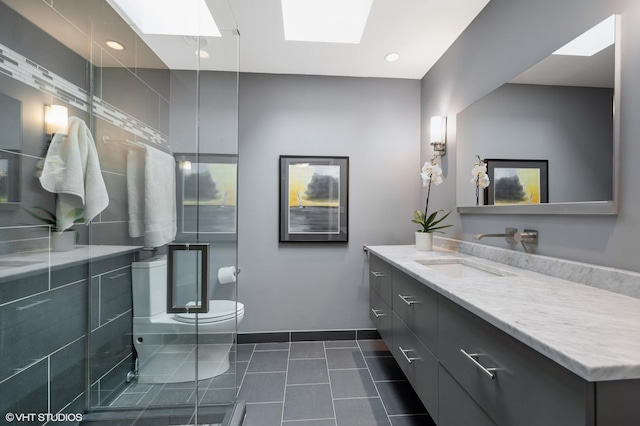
<point>135,192</point>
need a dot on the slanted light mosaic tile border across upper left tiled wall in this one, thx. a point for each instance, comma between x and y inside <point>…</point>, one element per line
<point>34,75</point>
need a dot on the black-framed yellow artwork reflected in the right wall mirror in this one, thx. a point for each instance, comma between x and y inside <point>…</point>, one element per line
<point>517,182</point>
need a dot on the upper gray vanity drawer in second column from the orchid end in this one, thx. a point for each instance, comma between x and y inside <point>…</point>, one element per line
<point>417,306</point>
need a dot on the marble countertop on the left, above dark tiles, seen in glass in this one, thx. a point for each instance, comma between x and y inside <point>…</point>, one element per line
<point>16,265</point>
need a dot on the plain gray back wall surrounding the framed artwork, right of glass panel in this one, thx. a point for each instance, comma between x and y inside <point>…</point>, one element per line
<point>375,122</point>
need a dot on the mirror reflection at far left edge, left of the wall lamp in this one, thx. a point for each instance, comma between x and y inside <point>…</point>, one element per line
<point>10,149</point>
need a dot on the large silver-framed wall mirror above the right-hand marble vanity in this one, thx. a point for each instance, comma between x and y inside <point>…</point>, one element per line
<point>563,111</point>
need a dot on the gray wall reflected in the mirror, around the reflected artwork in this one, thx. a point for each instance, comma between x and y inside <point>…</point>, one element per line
<point>571,127</point>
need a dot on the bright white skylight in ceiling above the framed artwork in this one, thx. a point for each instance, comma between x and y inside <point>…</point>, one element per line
<point>327,21</point>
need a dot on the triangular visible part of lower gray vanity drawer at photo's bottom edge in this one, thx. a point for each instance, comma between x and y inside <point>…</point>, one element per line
<point>456,406</point>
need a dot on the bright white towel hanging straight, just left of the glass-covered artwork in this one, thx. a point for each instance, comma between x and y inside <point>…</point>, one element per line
<point>159,198</point>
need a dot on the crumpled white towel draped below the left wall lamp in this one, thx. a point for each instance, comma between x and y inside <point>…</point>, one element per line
<point>72,170</point>
